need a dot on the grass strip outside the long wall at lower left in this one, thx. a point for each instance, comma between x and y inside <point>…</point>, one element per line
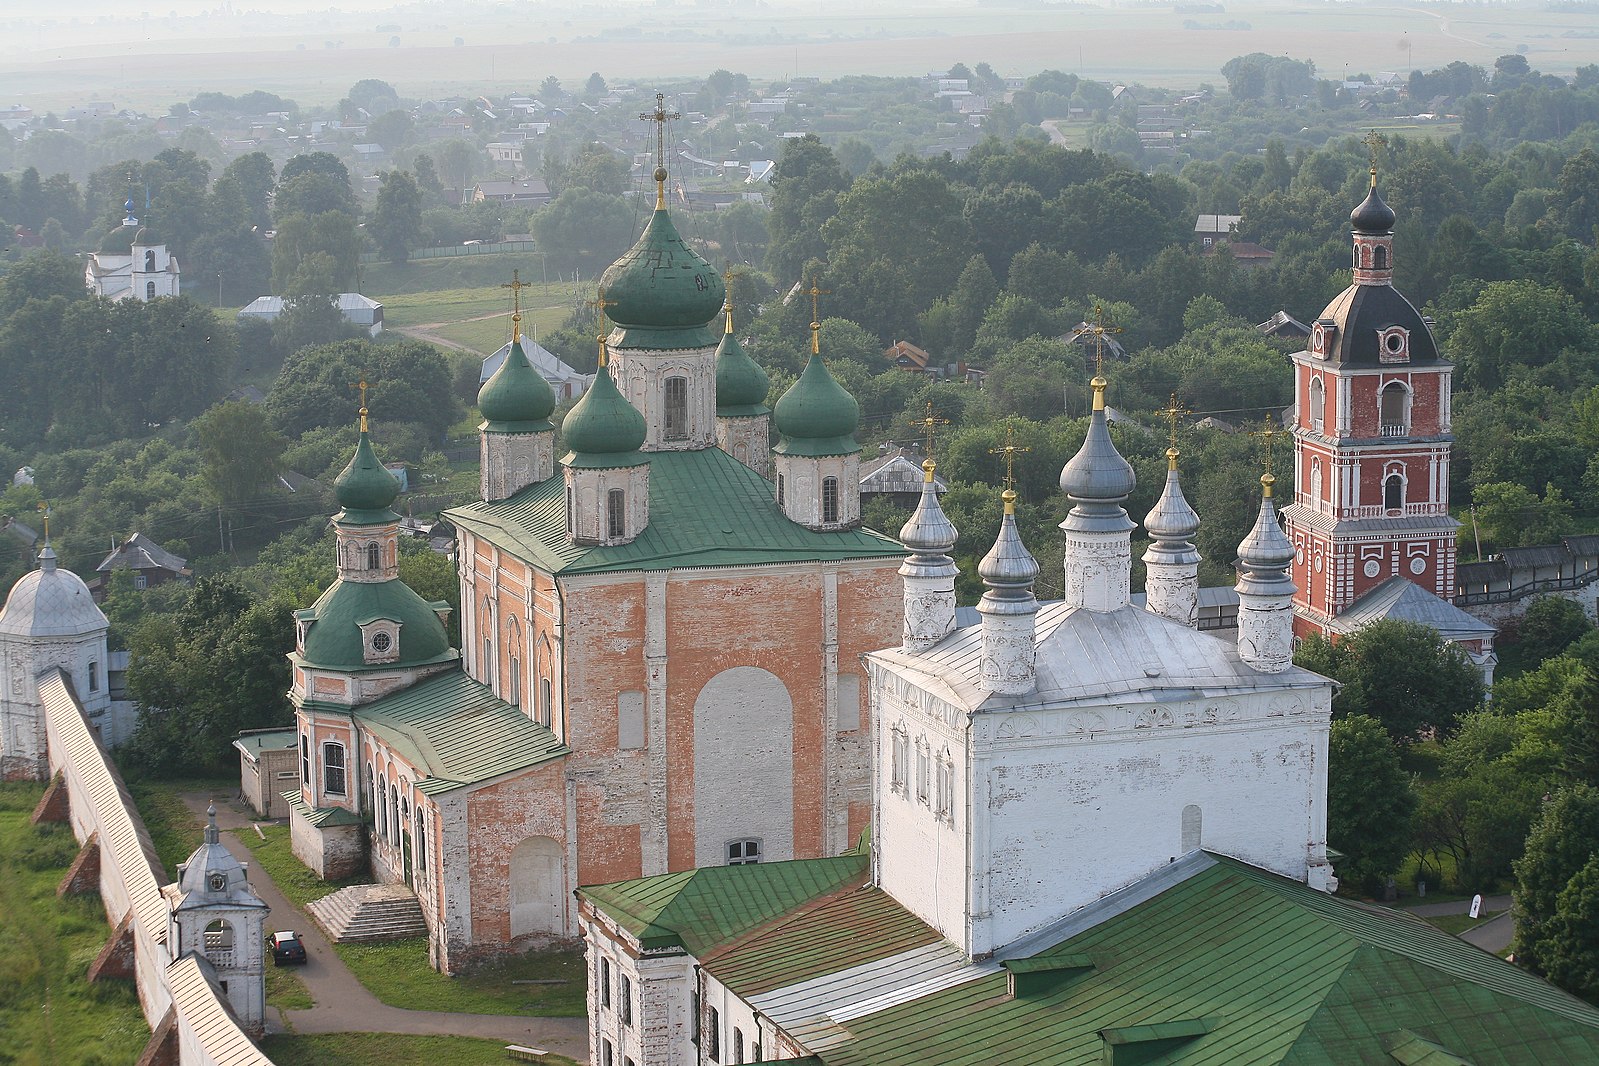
<point>49,1014</point>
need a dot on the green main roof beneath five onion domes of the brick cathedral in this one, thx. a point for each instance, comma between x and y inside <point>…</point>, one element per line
<point>706,509</point>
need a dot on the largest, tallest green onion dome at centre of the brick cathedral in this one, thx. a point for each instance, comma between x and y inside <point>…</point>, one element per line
<point>661,293</point>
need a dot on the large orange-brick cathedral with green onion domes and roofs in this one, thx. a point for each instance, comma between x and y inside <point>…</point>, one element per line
<point>663,634</point>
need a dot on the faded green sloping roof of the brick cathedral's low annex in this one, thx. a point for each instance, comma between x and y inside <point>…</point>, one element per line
<point>458,733</point>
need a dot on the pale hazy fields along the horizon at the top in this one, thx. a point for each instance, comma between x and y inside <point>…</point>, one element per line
<point>150,63</point>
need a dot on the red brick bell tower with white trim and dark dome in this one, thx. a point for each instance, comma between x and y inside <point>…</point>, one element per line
<point>1371,442</point>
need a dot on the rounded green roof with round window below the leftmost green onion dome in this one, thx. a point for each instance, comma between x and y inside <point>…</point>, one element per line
<point>335,638</point>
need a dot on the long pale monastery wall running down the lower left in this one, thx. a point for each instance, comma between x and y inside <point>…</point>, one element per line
<point>177,998</point>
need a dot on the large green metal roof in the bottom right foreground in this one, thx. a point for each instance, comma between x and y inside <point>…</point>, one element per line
<point>1286,976</point>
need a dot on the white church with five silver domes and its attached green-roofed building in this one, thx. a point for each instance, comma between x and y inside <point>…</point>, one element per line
<point>1099,837</point>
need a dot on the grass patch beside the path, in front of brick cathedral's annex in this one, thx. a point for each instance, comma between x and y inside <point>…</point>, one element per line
<point>397,974</point>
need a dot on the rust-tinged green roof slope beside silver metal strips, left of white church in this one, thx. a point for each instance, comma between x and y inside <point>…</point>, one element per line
<point>853,926</point>
